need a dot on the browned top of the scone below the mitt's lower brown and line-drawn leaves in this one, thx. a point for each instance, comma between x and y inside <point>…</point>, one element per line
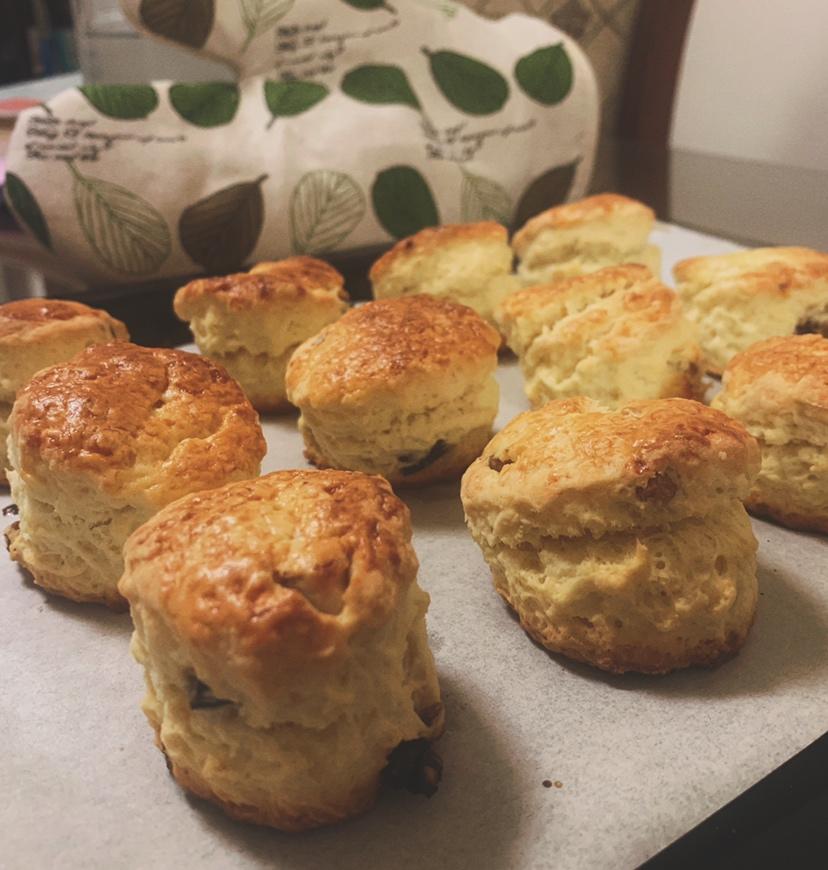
<point>266,285</point>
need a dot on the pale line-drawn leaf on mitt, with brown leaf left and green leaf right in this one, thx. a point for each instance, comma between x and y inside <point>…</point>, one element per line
<point>325,207</point>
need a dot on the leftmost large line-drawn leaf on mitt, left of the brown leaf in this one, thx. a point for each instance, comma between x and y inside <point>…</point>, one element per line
<point>123,229</point>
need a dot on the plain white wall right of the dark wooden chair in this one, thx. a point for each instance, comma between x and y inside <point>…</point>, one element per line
<point>754,81</point>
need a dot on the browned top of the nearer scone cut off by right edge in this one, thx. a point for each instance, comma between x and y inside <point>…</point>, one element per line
<point>780,386</point>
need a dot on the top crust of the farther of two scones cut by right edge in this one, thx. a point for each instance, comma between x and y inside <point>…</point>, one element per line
<point>777,272</point>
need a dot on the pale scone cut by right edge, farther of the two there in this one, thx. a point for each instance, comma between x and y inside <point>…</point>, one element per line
<point>739,299</point>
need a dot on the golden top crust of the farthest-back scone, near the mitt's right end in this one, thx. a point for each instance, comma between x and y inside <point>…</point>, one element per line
<point>602,207</point>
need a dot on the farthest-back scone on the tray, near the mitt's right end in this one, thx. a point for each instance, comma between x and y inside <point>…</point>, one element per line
<point>584,236</point>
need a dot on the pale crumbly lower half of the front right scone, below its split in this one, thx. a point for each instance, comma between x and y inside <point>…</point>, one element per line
<point>649,601</point>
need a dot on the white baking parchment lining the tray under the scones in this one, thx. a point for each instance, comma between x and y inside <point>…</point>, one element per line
<point>547,763</point>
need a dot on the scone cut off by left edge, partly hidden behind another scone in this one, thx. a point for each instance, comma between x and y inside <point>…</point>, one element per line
<point>37,333</point>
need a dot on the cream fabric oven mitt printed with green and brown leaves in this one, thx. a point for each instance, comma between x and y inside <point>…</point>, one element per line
<point>339,125</point>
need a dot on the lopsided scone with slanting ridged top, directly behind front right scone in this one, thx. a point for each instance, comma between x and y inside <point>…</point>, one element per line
<point>613,335</point>
